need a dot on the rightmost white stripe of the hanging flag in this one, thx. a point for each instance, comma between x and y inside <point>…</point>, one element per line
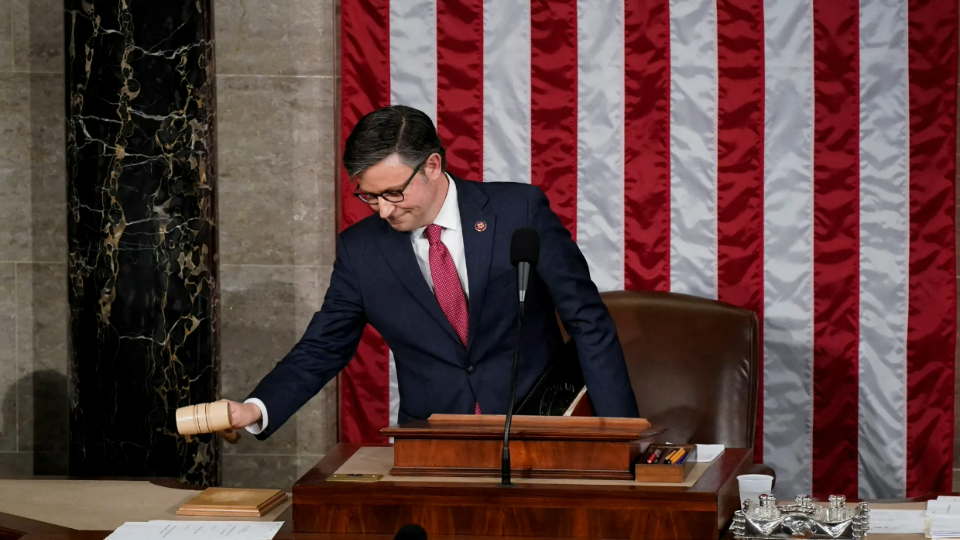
<point>884,248</point>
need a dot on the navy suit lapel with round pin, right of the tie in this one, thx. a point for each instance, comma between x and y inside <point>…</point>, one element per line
<point>479,227</point>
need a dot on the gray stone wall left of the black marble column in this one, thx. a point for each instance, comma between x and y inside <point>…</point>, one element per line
<point>33,304</point>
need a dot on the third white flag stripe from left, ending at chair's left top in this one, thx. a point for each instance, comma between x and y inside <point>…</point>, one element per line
<point>600,117</point>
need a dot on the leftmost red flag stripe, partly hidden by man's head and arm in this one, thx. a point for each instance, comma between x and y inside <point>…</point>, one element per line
<point>365,86</point>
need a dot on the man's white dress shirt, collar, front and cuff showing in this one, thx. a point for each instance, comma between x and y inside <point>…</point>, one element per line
<point>452,238</point>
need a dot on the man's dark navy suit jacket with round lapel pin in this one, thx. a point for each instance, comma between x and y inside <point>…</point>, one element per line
<point>376,280</point>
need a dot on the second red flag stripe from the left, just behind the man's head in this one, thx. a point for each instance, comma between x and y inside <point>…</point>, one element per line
<point>460,85</point>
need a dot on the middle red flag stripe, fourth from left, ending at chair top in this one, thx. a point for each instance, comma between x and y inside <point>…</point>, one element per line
<point>646,130</point>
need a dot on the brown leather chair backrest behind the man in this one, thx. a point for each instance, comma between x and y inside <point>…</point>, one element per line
<point>693,364</point>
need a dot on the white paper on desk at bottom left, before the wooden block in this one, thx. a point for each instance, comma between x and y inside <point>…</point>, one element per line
<point>196,530</point>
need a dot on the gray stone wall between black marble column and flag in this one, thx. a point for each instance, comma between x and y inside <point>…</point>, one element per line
<point>277,143</point>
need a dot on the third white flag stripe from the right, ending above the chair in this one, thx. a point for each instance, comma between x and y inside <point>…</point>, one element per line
<point>693,147</point>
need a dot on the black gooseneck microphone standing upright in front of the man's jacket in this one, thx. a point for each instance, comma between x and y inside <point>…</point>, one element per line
<point>524,254</point>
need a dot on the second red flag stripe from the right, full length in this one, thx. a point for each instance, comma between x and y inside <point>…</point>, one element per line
<point>836,268</point>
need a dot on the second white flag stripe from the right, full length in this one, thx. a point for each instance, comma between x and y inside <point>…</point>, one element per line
<point>788,244</point>
